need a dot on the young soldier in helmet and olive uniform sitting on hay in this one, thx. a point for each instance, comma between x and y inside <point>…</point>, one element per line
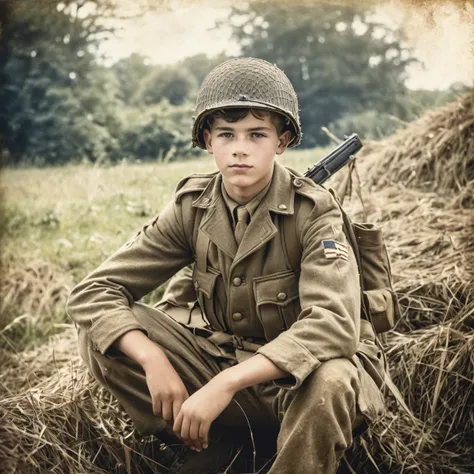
<point>281,343</point>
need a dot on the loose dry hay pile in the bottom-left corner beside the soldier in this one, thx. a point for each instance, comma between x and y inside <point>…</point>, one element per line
<point>56,418</point>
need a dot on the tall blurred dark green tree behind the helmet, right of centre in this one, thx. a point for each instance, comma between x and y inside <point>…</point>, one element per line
<point>338,57</point>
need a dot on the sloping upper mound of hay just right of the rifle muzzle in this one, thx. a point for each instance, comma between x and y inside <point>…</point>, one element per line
<point>434,153</point>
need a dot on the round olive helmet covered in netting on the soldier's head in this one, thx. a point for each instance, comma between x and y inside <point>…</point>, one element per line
<point>246,82</point>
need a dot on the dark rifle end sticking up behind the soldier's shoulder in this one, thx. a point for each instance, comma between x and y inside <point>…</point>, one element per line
<point>335,160</point>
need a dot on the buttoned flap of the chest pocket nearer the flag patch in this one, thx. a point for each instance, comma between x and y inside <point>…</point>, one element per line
<point>279,288</point>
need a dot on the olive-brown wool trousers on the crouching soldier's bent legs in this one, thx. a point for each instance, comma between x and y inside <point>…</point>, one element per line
<point>316,420</point>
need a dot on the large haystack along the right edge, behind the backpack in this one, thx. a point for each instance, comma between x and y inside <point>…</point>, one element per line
<point>418,185</point>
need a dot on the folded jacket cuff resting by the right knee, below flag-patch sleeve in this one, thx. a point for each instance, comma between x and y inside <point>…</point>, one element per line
<point>292,357</point>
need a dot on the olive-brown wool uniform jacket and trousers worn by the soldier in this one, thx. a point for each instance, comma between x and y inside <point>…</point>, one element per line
<point>306,320</point>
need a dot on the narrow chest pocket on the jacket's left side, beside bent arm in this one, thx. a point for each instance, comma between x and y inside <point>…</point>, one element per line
<point>204,283</point>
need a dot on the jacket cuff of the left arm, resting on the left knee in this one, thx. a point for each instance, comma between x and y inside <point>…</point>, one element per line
<point>108,328</point>
